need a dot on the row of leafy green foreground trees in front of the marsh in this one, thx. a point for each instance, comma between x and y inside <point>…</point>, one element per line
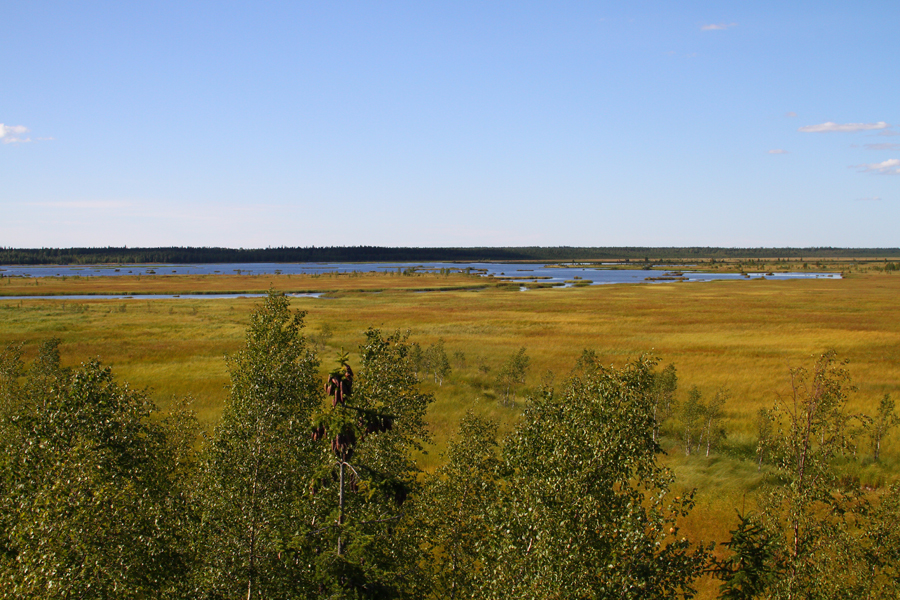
<point>307,490</point>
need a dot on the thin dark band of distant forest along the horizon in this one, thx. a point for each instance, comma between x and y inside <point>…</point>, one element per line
<point>173,255</point>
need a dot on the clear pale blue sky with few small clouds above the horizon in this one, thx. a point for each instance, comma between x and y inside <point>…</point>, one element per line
<point>246,124</point>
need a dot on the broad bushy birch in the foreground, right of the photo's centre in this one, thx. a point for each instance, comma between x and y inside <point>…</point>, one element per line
<point>585,510</point>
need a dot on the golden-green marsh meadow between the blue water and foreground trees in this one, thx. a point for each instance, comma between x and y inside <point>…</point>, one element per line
<point>741,335</point>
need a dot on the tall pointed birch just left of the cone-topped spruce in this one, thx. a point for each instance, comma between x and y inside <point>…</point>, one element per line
<point>258,463</point>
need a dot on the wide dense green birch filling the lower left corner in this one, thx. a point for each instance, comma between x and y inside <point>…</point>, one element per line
<point>93,505</point>
